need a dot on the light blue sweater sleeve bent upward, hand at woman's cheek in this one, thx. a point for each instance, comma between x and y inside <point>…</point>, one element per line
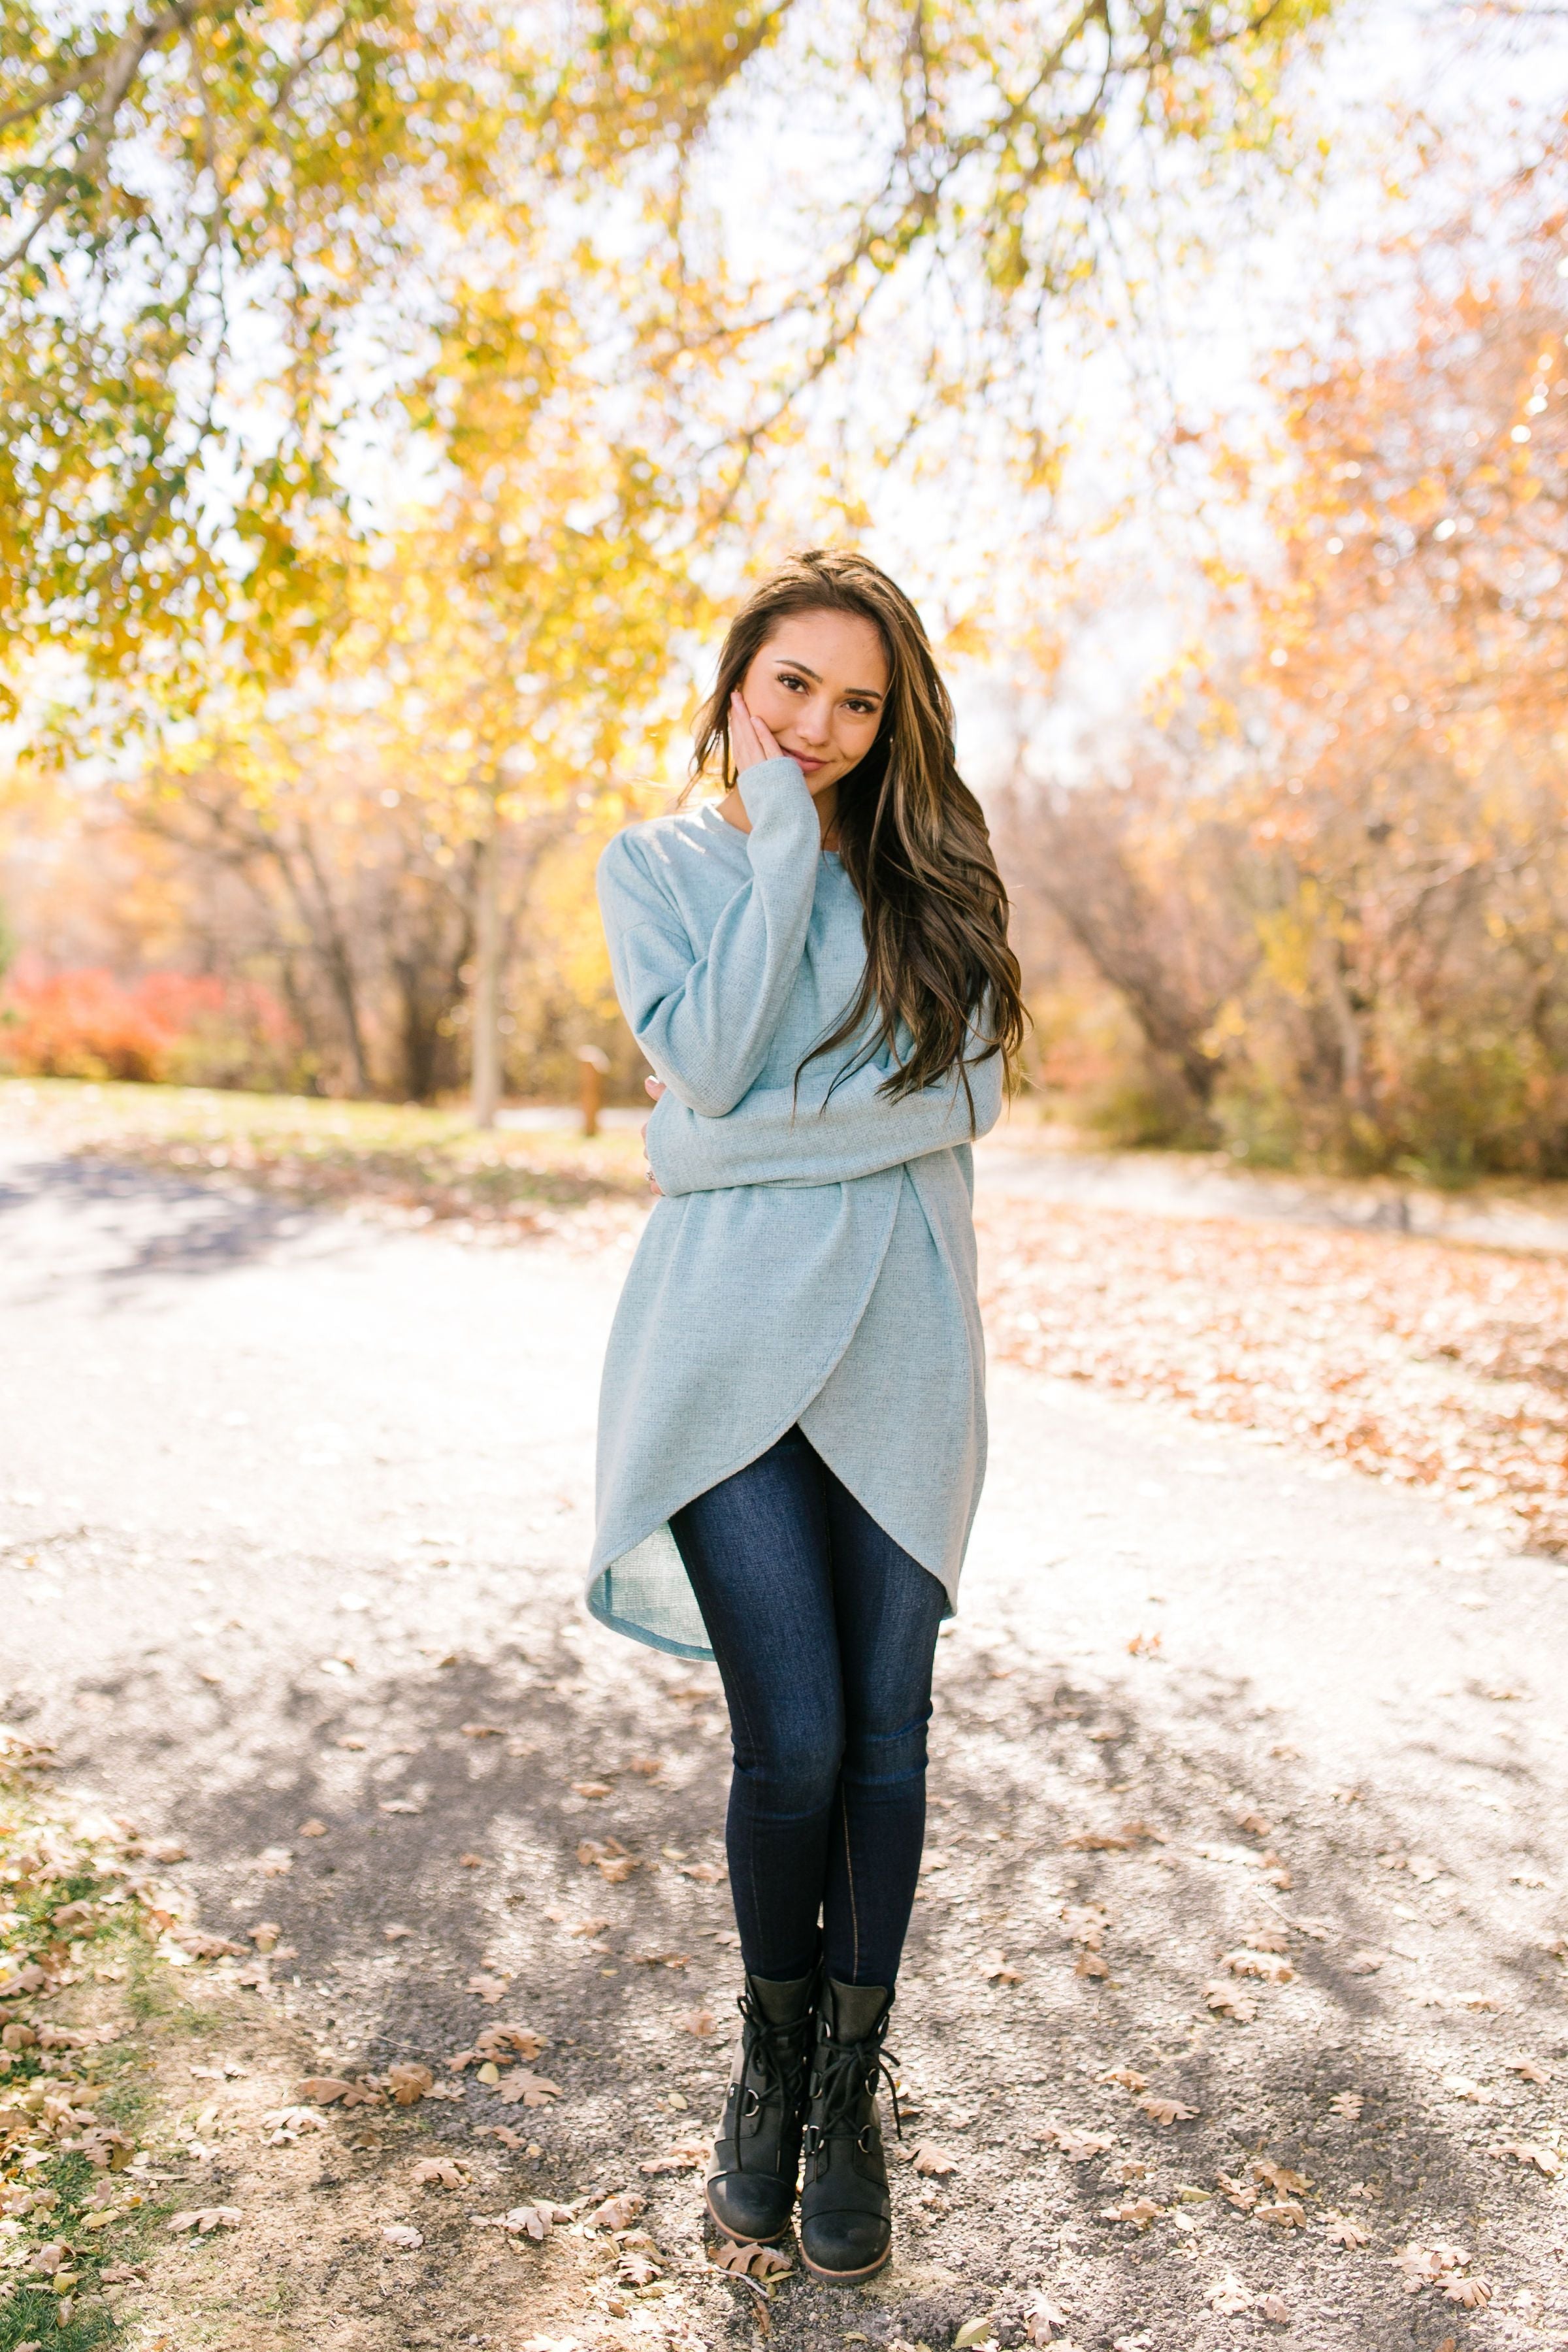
<point>706,1022</point>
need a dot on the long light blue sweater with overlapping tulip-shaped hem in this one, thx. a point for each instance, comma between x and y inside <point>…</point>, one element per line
<point>812,1259</point>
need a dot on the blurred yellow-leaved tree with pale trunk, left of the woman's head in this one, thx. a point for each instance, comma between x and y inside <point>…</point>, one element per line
<point>500,676</point>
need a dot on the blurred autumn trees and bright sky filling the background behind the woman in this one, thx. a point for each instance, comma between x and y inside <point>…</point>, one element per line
<point>398,396</point>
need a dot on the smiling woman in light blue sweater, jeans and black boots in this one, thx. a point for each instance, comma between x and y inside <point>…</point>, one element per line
<point>793,1424</point>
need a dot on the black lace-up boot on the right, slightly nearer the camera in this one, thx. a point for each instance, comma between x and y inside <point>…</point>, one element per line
<point>845,2207</point>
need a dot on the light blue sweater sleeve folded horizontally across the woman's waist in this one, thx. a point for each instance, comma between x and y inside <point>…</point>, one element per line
<point>815,1135</point>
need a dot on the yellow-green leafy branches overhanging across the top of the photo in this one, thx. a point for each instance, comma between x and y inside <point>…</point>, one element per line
<point>236,227</point>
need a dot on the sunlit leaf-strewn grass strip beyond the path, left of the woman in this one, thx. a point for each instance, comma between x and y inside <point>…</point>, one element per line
<point>333,1154</point>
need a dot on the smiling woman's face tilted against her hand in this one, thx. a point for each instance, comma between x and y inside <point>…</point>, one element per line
<point>819,686</point>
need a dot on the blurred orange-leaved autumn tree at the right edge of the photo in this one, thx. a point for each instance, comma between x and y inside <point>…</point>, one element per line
<point>1334,888</point>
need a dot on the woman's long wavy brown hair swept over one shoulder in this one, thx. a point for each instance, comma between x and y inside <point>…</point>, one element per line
<point>911,836</point>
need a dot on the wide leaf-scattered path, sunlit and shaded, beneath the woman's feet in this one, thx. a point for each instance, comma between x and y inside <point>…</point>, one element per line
<point>290,1532</point>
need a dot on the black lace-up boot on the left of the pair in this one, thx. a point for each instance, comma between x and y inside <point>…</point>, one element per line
<point>751,2181</point>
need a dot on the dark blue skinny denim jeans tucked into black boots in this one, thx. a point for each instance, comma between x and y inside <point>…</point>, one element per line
<point>824,1633</point>
